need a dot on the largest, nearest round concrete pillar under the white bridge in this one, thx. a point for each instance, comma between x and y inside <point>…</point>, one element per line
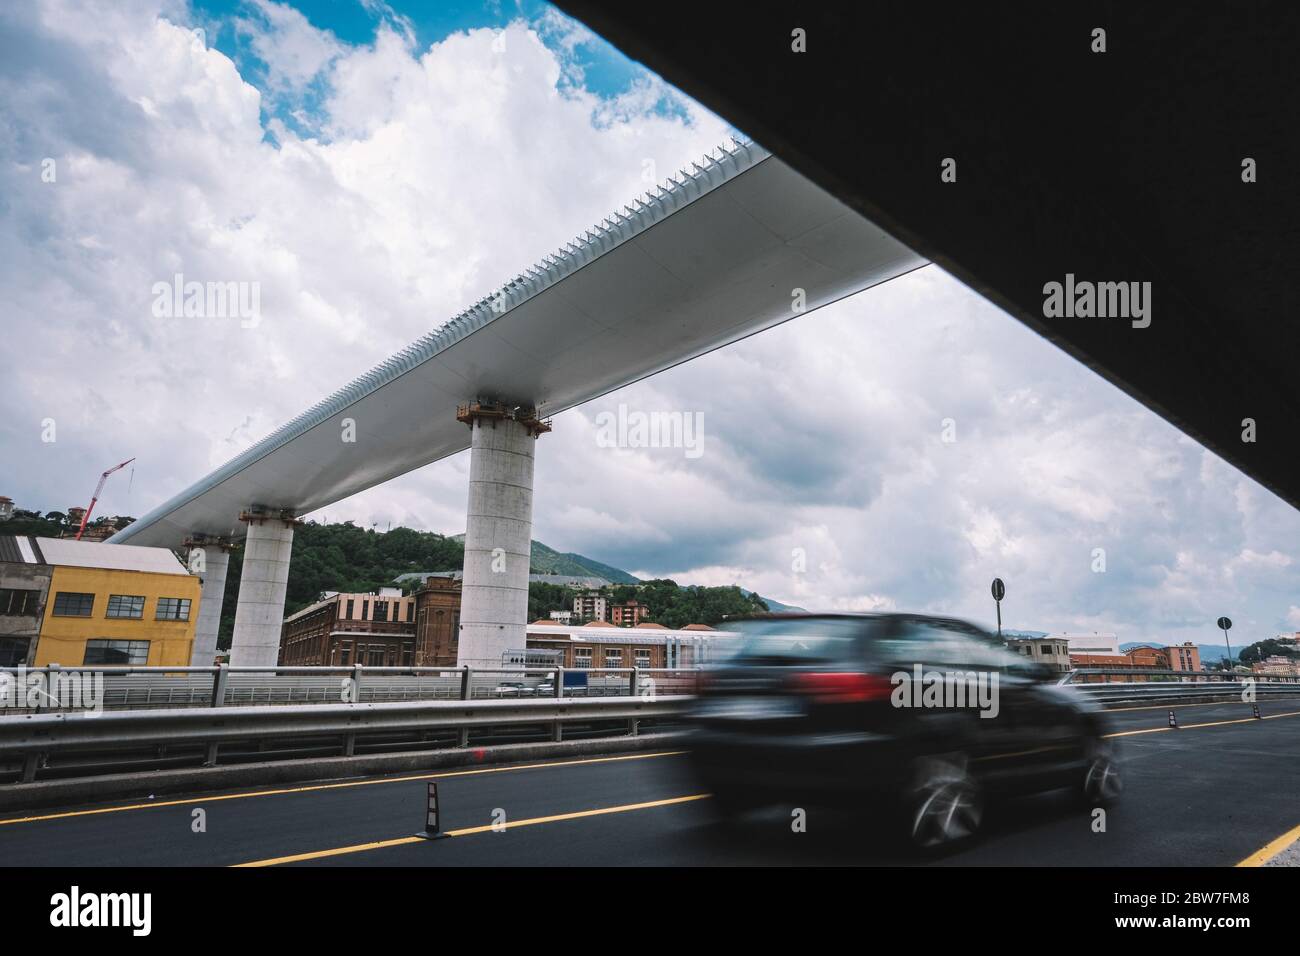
<point>499,531</point>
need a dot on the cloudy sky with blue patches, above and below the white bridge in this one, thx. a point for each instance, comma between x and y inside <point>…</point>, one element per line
<point>376,168</point>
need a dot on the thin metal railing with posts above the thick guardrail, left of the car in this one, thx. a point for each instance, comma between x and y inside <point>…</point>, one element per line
<point>59,690</point>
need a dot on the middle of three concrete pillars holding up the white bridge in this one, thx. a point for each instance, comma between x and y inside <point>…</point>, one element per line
<point>263,583</point>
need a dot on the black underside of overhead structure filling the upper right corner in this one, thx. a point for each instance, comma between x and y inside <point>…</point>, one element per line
<point>1117,166</point>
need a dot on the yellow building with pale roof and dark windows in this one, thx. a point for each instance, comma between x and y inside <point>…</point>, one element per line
<point>116,605</point>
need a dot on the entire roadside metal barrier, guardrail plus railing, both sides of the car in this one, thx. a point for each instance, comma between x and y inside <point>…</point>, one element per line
<point>213,715</point>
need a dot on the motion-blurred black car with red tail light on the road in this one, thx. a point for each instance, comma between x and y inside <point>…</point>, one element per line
<point>917,717</point>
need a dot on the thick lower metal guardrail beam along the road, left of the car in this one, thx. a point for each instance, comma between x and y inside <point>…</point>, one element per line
<point>92,743</point>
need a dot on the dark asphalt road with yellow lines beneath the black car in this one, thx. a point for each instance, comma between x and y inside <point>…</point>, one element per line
<point>1217,791</point>
